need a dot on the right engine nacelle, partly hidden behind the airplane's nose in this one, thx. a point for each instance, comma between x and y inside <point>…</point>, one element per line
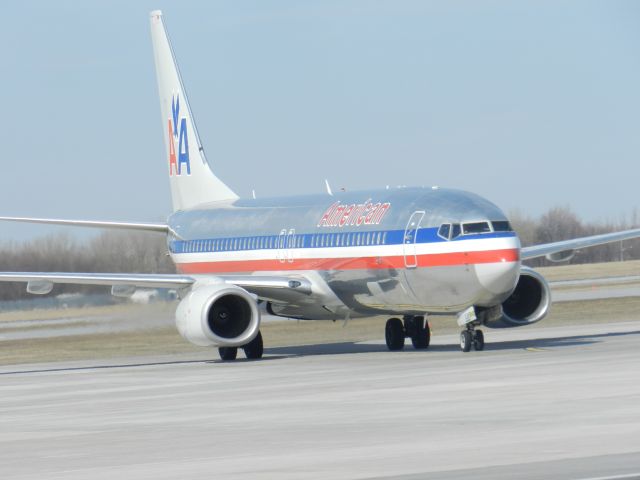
<point>529,303</point>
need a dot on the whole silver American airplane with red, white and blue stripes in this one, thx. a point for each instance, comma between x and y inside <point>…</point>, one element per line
<point>407,253</point>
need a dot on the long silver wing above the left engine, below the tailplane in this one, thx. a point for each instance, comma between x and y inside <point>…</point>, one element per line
<point>279,288</point>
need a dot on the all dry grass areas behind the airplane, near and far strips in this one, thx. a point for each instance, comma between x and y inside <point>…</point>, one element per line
<point>166,341</point>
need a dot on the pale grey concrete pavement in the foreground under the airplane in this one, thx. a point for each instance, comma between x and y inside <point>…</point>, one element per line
<point>555,402</point>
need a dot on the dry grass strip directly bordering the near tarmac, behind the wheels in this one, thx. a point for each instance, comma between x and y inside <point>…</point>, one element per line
<point>166,341</point>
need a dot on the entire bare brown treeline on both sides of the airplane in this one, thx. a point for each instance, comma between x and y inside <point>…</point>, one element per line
<point>138,252</point>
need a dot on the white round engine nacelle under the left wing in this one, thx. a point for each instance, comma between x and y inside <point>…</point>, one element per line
<point>218,315</point>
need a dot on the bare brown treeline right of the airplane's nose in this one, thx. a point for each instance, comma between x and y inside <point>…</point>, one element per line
<point>561,223</point>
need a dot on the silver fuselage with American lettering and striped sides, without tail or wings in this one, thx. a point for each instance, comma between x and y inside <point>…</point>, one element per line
<point>364,252</point>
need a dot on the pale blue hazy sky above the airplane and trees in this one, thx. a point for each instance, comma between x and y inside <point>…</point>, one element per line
<point>530,104</point>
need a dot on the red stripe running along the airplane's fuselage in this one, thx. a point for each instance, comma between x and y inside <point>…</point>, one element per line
<point>353,263</point>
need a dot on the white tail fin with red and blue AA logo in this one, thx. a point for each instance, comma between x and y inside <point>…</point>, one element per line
<point>191,178</point>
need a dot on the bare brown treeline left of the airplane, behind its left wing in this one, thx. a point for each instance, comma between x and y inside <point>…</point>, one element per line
<point>112,251</point>
